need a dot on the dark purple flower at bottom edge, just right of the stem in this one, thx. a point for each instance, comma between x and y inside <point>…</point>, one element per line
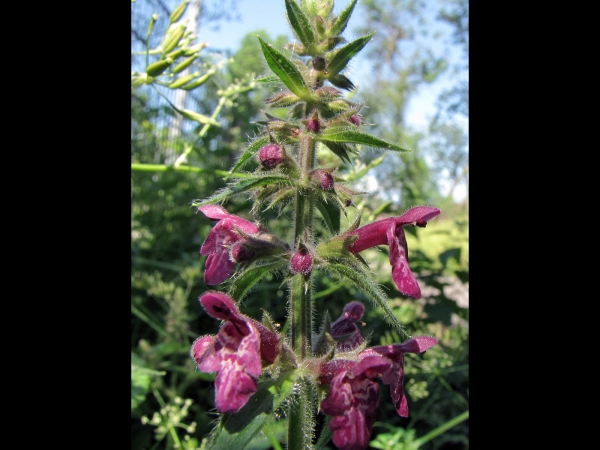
<point>352,399</point>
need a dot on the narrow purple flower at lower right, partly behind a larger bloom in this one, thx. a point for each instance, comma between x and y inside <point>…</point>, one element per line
<point>395,375</point>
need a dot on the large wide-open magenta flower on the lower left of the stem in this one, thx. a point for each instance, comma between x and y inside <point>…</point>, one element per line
<point>235,353</point>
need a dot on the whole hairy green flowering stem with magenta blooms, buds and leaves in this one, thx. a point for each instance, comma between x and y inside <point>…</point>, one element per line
<point>332,371</point>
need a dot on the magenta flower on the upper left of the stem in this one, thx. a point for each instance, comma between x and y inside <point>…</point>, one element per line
<point>221,238</point>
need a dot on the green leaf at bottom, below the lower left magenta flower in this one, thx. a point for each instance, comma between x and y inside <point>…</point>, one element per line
<point>236,430</point>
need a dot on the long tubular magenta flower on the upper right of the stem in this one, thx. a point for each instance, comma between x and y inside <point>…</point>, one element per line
<point>390,231</point>
